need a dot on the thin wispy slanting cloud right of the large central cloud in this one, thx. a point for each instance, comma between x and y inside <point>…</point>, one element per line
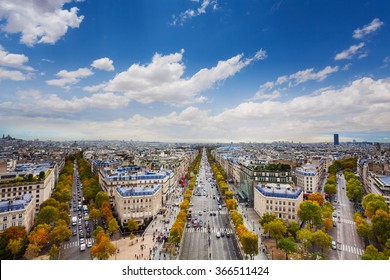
<point>293,80</point>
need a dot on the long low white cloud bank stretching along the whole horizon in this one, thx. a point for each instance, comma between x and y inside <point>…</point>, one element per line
<point>362,106</point>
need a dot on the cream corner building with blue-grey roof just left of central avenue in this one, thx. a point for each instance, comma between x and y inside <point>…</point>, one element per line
<point>139,203</point>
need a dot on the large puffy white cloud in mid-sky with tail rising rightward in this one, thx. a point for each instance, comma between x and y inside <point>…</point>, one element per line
<point>162,79</point>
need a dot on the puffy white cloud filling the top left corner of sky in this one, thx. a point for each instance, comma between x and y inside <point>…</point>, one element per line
<point>38,21</point>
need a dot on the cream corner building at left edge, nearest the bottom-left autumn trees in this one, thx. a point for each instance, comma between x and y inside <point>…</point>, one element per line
<point>17,212</point>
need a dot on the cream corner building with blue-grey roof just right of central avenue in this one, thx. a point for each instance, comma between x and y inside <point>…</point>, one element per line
<point>280,199</point>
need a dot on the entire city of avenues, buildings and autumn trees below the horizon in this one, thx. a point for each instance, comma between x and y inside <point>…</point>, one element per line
<point>129,200</point>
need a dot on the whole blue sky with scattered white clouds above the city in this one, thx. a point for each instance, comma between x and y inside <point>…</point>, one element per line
<point>195,70</point>
